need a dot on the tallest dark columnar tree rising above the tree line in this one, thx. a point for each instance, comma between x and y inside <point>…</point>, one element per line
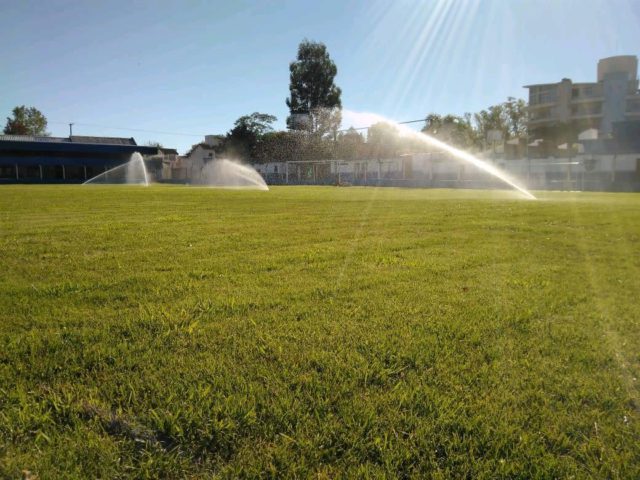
<point>314,102</point>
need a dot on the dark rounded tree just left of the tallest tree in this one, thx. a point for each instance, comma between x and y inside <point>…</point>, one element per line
<point>242,140</point>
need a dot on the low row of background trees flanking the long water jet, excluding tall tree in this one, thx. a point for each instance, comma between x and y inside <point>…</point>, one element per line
<point>253,138</point>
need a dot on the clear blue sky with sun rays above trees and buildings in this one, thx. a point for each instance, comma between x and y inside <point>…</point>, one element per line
<point>193,67</point>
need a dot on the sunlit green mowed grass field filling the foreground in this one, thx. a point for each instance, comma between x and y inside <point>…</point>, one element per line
<point>318,332</point>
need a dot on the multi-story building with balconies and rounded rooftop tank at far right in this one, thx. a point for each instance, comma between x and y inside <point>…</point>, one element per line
<point>559,110</point>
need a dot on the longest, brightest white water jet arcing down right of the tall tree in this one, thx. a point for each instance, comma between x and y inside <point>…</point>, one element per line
<point>454,152</point>
